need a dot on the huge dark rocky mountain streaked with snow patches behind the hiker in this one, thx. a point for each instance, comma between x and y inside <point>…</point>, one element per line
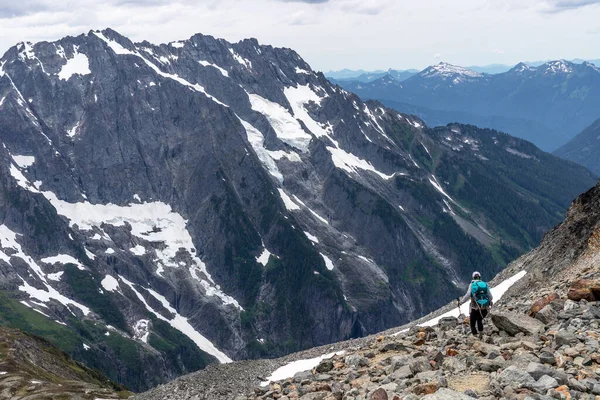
<point>164,207</point>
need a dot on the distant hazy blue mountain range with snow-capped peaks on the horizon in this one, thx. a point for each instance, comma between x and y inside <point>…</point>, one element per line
<point>547,105</point>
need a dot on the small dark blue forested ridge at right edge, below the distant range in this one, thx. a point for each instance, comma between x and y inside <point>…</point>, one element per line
<point>584,148</point>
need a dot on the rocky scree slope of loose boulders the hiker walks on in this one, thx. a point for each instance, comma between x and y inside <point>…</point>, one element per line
<point>540,342</point>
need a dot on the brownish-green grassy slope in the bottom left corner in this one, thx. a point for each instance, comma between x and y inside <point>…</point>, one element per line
<point>32,368</point>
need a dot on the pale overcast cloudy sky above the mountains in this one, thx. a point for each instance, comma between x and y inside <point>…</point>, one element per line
<point>335,34</point>
